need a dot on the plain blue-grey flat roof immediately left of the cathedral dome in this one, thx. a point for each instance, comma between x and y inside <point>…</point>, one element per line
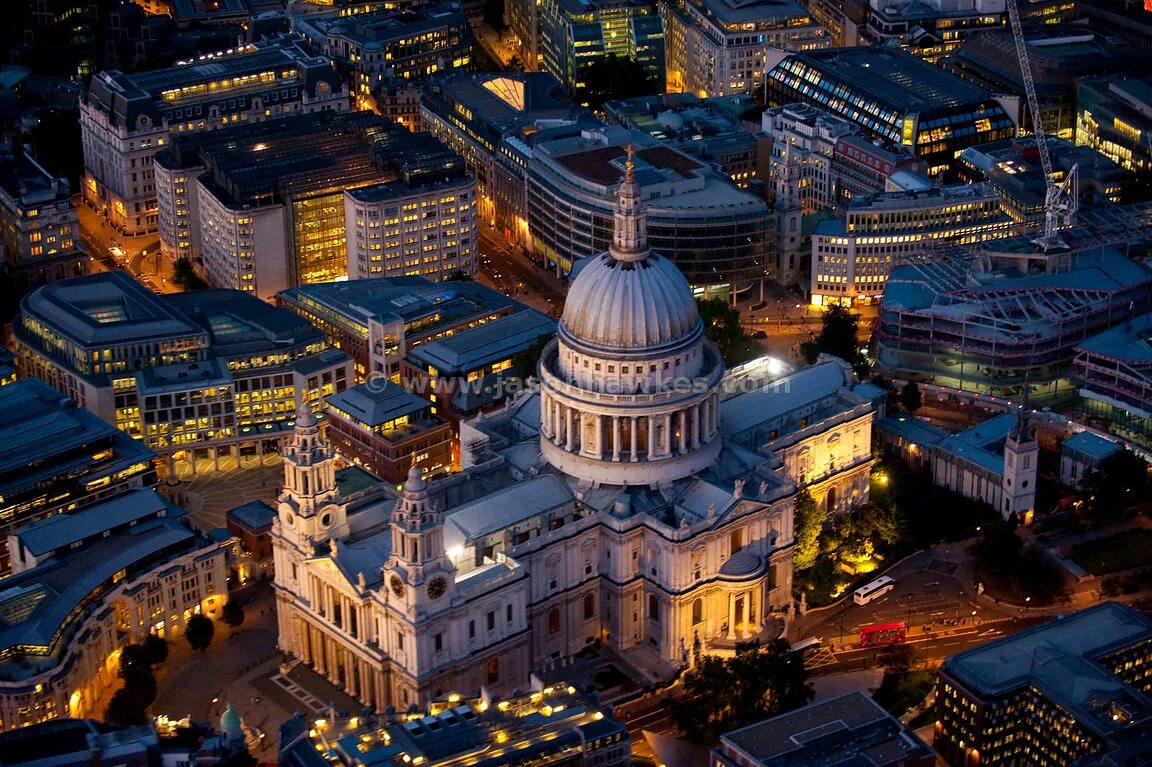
<point>492,341</point>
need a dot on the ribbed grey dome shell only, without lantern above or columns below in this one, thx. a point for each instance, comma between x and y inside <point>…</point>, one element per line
<point>634,306</point>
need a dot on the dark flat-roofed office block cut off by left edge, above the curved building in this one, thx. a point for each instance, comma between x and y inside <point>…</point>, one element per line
<point>58,458</point>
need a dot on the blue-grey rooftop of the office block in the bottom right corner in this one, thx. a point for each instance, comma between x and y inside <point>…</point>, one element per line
<point>1060,659</point>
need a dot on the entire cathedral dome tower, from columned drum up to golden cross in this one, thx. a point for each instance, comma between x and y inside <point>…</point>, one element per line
<point>630,386</point>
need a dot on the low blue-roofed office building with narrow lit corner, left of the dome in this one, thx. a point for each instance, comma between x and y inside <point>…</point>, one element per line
<point>378,322</point>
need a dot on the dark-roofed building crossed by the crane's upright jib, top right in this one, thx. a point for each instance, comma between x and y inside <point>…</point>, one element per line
<point>1059,58</point>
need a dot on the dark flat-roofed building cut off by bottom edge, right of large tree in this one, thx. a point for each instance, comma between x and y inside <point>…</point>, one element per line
<point>840,731</point>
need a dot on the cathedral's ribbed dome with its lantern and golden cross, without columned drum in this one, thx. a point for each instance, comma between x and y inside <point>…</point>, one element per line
<point>631,299</point>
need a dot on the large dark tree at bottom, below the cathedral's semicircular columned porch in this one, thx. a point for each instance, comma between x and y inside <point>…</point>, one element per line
<point>722,695</point>
